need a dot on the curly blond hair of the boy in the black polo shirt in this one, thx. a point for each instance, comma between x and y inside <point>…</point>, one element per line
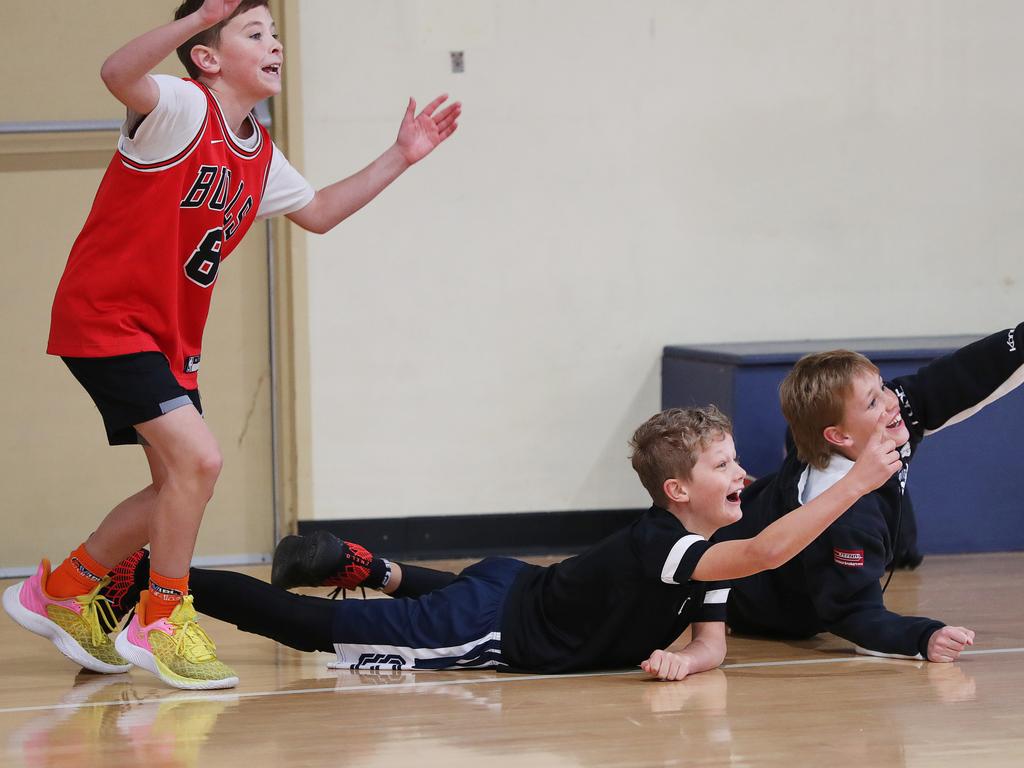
<point>669,445</point>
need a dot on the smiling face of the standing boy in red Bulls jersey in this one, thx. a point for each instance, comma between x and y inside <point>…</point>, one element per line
<point>249,57</point>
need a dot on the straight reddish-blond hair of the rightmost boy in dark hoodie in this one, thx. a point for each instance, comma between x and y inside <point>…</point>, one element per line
<point>814,397</point>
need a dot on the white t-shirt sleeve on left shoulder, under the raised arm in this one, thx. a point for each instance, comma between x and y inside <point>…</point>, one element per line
<point>170,127</point>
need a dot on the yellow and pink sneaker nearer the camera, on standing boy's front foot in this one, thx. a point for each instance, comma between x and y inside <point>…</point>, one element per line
<point>176,650</point>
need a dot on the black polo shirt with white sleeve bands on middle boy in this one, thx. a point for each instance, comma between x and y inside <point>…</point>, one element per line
<point>613,606</point>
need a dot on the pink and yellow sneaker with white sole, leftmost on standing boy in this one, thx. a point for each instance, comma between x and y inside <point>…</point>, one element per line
<point>78,626</point>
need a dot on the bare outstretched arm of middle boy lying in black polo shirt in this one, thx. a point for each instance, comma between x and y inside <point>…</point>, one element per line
<point>792,533</point>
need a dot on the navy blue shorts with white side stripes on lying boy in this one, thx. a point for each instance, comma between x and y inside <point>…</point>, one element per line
<point>457,627</point>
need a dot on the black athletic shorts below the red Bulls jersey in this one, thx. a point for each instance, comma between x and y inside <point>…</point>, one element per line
<point>131,390</point>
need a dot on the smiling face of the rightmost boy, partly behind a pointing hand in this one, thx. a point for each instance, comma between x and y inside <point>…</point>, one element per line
<point>867,398</point>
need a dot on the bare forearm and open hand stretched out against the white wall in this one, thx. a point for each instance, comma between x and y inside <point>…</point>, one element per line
<point>418,137</point>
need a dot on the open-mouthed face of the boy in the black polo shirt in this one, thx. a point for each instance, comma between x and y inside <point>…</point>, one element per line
<point>709,500</point>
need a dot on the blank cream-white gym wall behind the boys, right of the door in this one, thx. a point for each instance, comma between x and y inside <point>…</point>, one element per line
<point>629,175</point>
